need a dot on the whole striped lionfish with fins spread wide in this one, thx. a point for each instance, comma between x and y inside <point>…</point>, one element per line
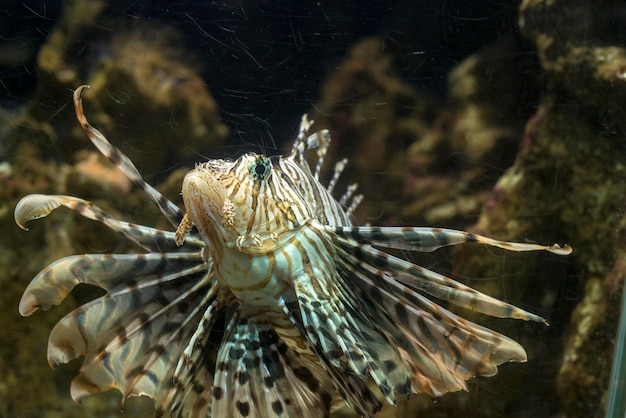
<point>265,300</point>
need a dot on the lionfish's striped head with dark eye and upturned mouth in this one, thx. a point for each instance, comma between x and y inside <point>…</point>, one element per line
<point>245,203</point>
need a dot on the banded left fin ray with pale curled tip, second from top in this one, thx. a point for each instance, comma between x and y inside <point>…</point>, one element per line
<point>36,206</point>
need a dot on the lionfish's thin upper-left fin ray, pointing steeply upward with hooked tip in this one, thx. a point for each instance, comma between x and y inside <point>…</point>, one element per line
<point>172,212</point>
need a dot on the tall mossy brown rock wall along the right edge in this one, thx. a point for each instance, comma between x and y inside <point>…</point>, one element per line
<point>582,123</point>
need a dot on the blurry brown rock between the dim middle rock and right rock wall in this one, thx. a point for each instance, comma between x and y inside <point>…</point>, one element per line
<point>452,169</point>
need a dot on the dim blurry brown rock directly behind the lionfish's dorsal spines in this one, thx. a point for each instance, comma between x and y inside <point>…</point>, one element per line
<point>373,117</point>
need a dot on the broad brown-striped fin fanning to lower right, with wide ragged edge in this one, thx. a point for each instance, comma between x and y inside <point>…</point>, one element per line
<point>440,349</point>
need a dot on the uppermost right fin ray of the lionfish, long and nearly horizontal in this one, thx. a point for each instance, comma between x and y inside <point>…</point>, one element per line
<point>430,239</point>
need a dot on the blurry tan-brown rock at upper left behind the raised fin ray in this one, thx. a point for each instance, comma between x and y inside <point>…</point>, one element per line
<point>146,91</point>
